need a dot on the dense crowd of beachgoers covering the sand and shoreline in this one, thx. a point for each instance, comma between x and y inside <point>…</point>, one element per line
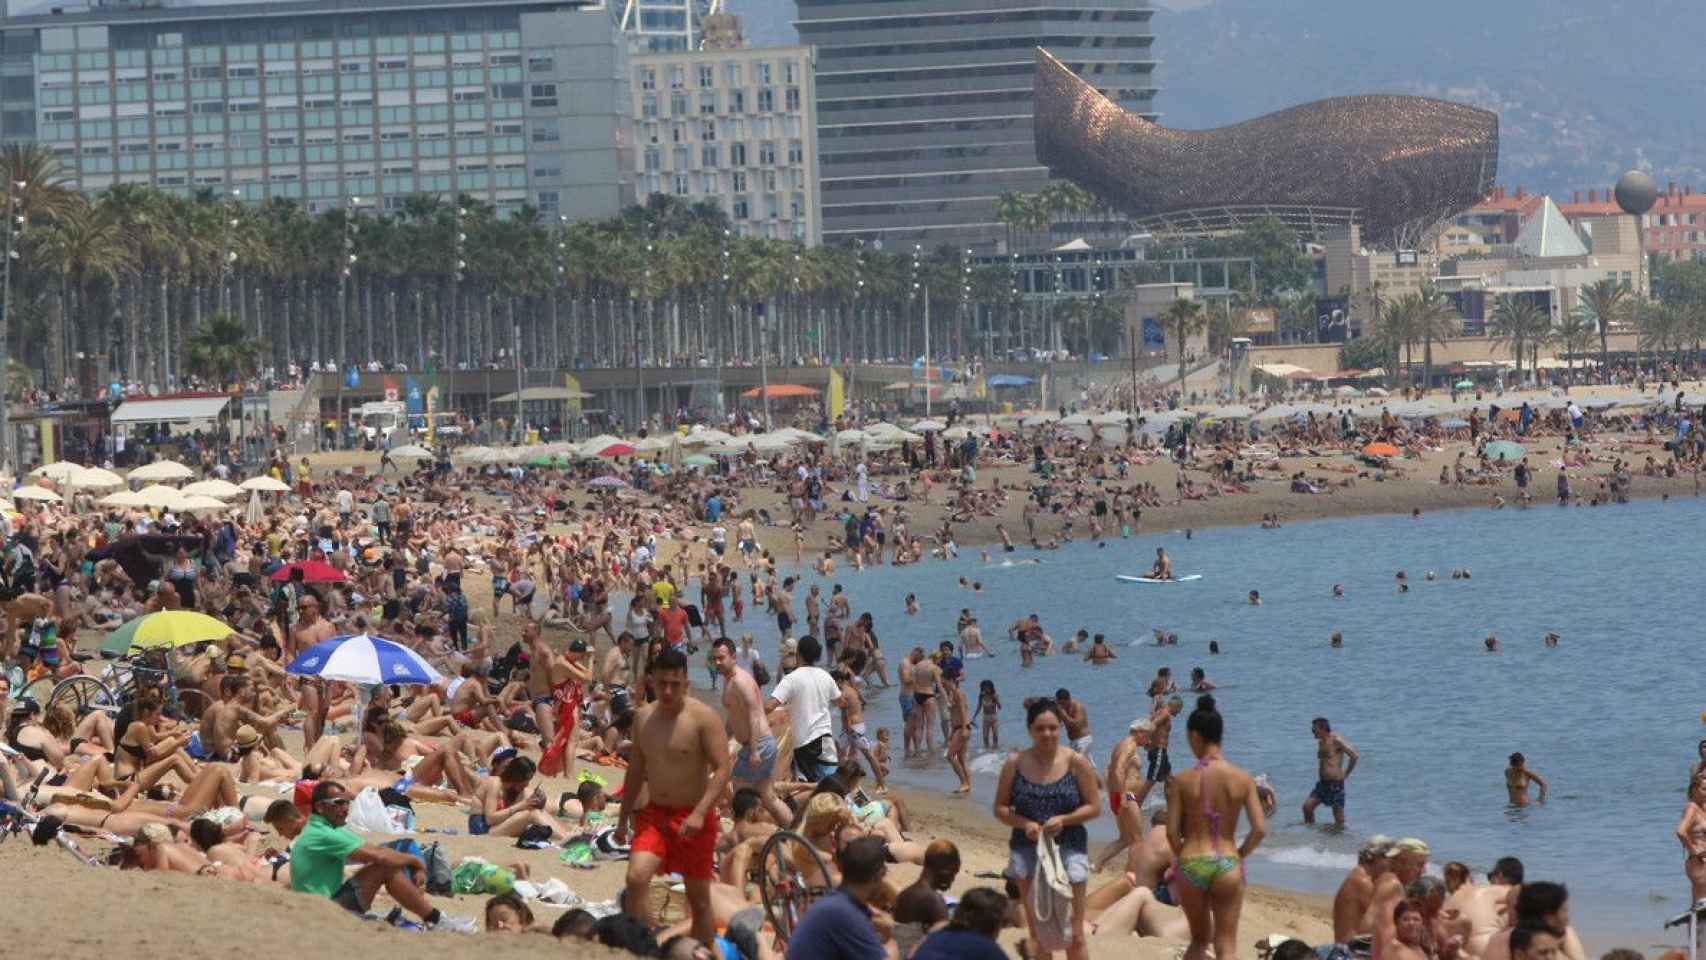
<point>603,606</point>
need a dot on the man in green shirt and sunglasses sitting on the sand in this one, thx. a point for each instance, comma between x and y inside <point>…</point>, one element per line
<point>325,845</point>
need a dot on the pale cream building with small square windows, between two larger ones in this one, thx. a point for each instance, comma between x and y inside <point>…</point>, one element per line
<point>734,127</point>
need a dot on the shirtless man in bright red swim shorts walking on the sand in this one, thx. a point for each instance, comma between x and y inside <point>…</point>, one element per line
<point>680,765</point>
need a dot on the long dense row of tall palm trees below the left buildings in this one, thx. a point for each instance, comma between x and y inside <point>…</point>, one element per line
<point>165,287</point>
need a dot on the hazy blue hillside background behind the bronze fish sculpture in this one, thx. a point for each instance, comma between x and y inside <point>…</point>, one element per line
<point>1586,90</point>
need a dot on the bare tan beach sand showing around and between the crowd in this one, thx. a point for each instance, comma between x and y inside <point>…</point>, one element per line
<point>194,918</point>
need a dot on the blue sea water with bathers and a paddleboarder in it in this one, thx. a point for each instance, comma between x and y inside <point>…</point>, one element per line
<point>1611,717</point>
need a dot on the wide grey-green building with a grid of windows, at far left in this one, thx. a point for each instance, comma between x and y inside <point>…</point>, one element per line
<point>332,103</point>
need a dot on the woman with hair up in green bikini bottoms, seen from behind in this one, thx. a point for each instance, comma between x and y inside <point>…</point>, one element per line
<point>1204,809</point>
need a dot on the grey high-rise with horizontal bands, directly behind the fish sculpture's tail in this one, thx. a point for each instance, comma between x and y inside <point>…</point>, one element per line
<point>926,107</point>
